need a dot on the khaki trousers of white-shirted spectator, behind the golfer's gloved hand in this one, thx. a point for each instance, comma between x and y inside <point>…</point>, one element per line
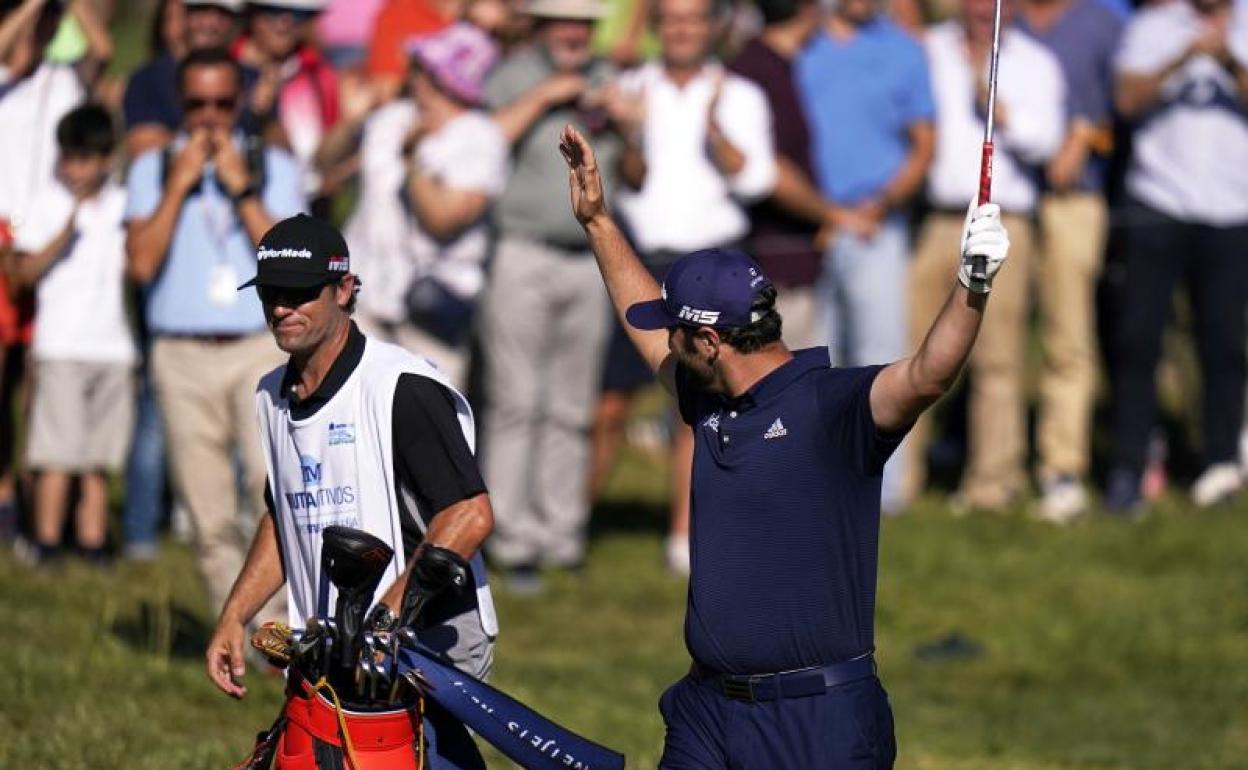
<point>998,425</point>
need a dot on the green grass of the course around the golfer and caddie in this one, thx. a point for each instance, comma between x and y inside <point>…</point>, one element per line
<point>1101,646</point>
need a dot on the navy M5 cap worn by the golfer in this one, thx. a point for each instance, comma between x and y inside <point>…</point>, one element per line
<point>712,288</point>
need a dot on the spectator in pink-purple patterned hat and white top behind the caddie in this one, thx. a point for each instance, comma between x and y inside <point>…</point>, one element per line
<point>431,165</point>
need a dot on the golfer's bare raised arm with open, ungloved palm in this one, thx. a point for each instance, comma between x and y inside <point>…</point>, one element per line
<point>628,281</point>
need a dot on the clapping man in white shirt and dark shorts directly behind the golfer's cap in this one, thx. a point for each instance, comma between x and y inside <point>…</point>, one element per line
<point>708,150</point>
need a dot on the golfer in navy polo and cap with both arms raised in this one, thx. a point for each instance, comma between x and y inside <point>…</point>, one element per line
<point>786,511</point>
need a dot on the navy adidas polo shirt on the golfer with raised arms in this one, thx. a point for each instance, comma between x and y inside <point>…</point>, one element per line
<point>786,519</point>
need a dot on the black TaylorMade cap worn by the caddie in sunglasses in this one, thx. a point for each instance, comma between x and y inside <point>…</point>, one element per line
<point>301,253</point>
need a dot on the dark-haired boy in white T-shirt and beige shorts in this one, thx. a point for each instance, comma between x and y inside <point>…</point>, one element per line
<point>72,250</point>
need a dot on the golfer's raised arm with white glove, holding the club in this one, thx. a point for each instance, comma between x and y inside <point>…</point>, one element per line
<point>907,387</point>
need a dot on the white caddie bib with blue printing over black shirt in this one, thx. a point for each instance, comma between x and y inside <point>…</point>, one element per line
<point>338,467</point>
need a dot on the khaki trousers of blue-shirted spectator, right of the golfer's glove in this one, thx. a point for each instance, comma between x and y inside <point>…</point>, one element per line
<point>1069,264</point>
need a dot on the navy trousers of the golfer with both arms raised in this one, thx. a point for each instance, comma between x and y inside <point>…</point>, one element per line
<point>847,728</point>
